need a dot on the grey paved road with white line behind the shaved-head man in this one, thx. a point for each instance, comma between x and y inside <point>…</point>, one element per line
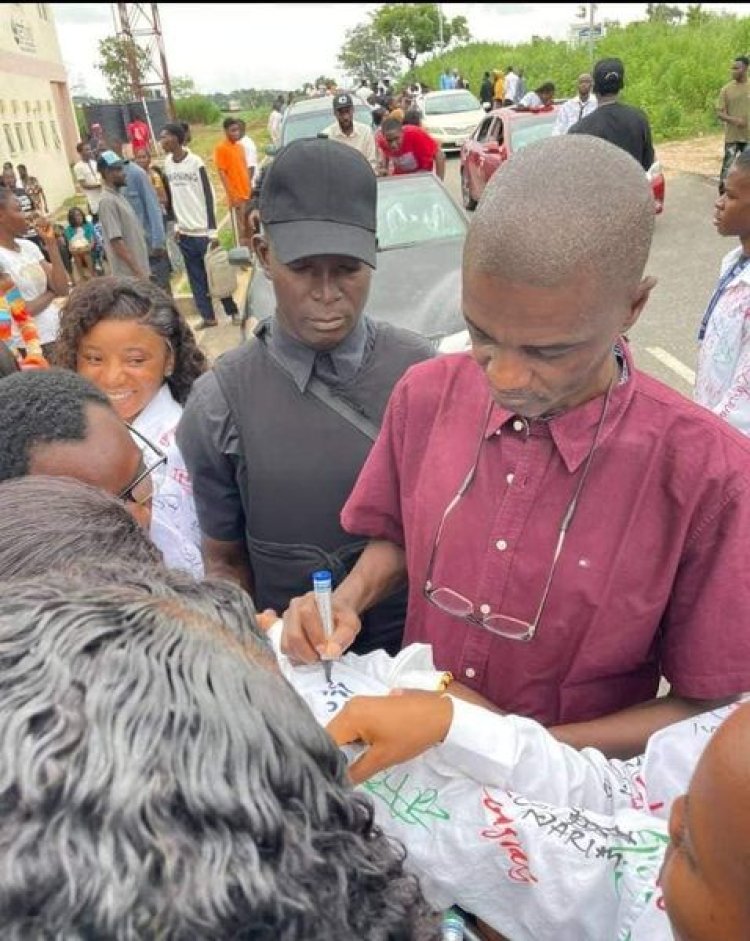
<point>685,259</point>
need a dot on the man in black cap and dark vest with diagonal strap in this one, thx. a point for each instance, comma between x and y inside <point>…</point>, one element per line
<point>275,436</point>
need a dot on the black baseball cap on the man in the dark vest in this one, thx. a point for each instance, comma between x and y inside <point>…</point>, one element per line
<point>319,197</point>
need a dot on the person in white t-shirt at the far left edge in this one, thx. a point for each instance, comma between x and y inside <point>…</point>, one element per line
<point>39,281</point>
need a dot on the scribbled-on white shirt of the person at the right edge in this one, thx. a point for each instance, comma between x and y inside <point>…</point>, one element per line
<point>723,376</point>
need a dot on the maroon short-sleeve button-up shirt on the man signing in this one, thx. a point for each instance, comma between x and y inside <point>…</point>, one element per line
<point>653,577</point>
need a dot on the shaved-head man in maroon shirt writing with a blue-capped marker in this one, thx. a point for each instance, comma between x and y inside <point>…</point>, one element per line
<point>572,529</point>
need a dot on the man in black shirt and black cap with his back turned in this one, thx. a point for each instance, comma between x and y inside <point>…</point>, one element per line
<point>623,125</point>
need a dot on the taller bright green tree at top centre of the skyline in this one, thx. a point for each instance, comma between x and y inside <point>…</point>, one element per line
<point>418,28</point>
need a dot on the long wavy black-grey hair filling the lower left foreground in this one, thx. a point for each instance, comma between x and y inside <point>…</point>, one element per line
<point>159,781</point>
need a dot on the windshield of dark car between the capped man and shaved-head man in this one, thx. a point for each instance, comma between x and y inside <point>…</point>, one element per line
<point>416,209</point>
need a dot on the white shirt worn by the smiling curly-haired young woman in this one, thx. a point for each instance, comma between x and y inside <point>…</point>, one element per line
<point>174,523</point>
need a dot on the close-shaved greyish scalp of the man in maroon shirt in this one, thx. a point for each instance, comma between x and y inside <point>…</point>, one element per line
<point>565,206</point>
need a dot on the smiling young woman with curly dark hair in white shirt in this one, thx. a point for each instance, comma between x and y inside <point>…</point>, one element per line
<point>129,339</point>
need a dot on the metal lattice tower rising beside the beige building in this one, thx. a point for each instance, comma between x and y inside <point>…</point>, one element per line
<point>140,24</point>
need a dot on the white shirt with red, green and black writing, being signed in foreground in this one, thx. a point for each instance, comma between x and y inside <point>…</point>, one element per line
<point>537,839</point>
